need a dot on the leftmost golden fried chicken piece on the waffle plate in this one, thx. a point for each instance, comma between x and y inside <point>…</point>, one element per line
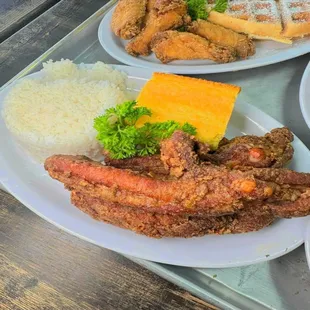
<point>127,18</point>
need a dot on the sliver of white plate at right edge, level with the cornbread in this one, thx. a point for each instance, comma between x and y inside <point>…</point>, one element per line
<point>304,95</point>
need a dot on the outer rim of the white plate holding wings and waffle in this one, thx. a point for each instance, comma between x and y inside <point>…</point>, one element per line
<point>195,69</point>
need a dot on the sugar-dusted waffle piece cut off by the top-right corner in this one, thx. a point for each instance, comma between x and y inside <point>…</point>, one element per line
<point>295,17</point>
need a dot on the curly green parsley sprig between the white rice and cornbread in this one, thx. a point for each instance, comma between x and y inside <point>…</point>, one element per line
<point>119,135</point>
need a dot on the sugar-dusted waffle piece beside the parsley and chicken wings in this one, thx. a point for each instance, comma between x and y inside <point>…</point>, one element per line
<point>260,19</point>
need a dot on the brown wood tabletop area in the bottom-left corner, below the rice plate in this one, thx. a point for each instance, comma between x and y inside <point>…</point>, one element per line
<point>43,267</point>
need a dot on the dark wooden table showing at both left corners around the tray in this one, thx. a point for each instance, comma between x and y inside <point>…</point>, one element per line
<point>42,267</point>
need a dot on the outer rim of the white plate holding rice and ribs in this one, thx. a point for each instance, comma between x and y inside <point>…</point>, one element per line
<point>247,107</point>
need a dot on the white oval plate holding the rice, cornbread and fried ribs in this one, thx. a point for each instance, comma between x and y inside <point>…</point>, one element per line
<point>29,183</point>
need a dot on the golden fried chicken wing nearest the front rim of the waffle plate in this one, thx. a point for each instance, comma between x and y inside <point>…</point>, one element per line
<point>173,45</point>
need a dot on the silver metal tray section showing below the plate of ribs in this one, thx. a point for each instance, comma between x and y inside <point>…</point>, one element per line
<point>281,284</point>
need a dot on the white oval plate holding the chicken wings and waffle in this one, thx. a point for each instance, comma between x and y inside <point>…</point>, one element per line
<point>267,52</point>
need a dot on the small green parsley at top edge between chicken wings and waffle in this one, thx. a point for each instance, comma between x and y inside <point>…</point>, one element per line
<point>197,8</point>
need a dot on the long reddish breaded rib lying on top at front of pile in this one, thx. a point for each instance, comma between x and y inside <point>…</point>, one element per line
<point>205,190</point>
